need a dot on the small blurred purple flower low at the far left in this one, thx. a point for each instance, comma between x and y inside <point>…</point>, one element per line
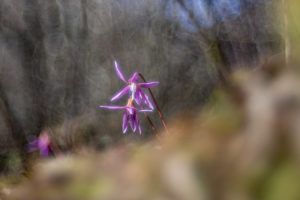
<point>42,143</point>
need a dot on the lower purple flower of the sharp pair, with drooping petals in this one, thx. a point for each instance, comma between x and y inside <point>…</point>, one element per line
<point>130,116</point>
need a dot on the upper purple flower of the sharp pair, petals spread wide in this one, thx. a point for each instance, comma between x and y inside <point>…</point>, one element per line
<point>134,88</point>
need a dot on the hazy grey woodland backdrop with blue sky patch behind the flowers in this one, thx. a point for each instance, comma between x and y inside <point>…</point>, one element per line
<point>56,60</point>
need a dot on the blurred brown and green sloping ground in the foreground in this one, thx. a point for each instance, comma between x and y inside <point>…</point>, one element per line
<point>244,144</point>
